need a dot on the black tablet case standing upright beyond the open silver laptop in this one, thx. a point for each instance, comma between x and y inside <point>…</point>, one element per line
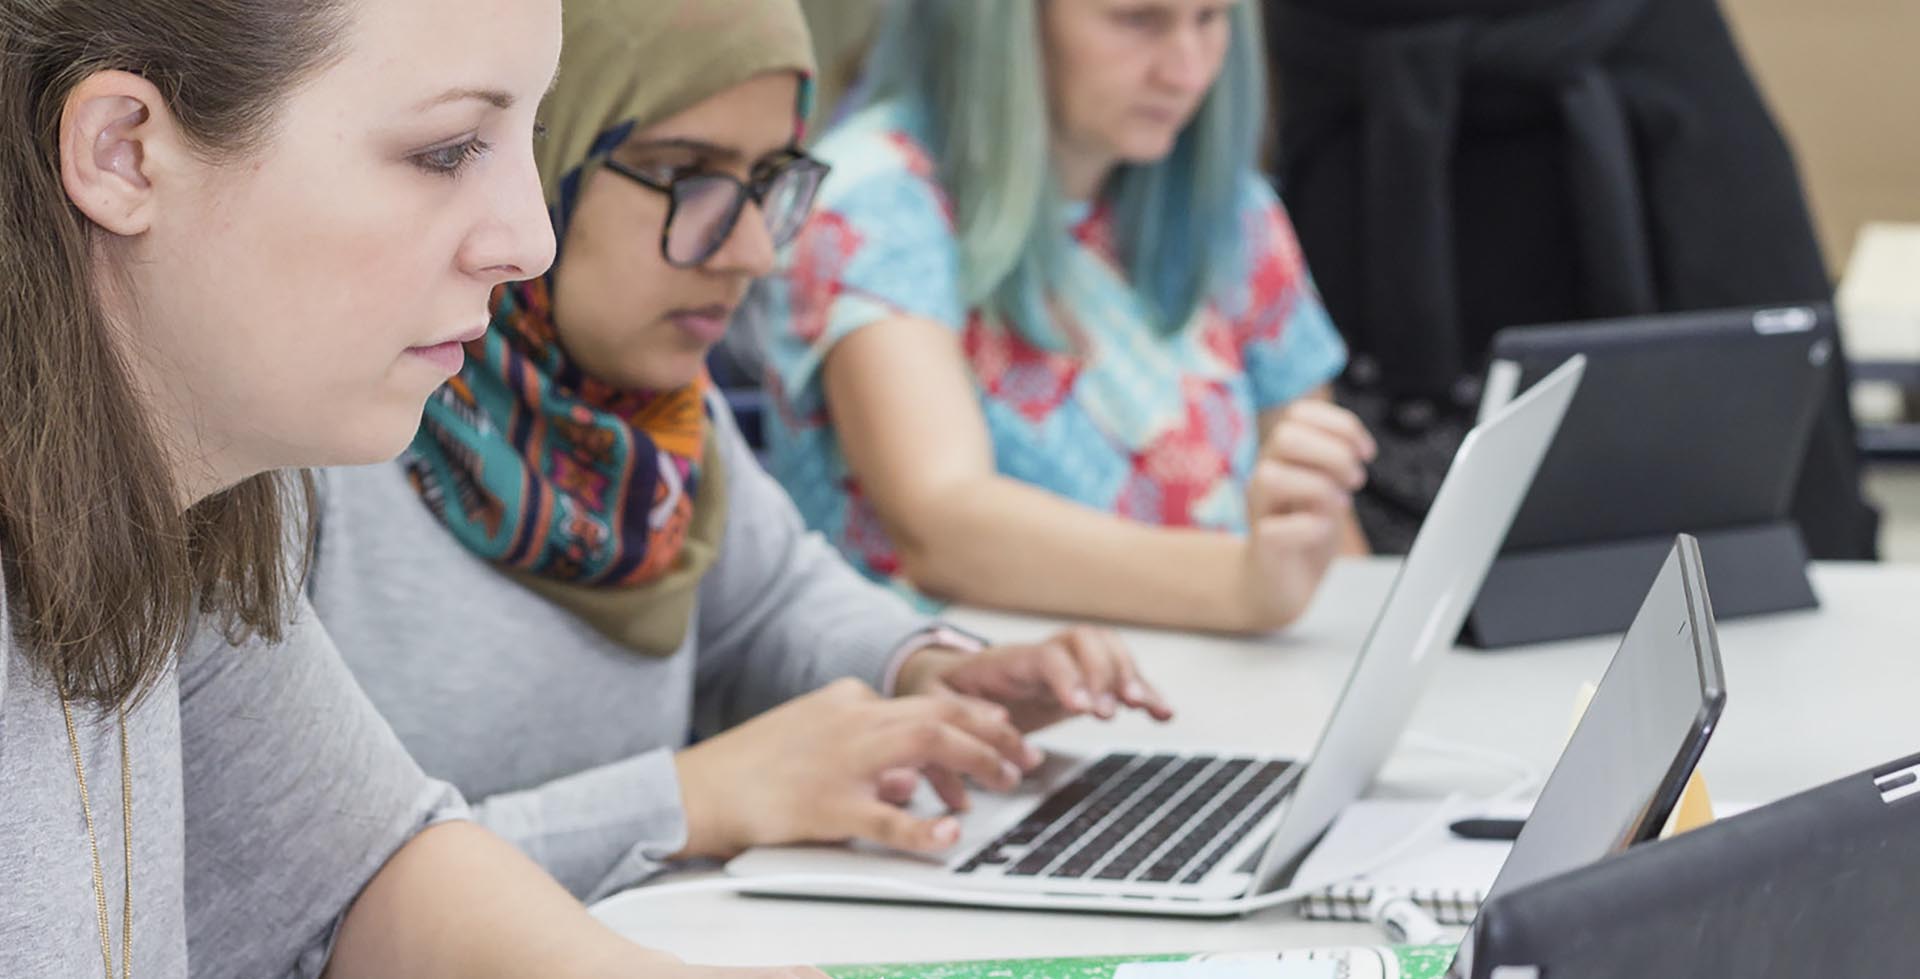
<point>1683,425</point>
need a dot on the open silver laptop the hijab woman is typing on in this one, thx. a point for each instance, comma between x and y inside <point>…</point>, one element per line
<point>1168,832</point>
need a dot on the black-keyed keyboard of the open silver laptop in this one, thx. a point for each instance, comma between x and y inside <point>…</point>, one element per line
<point>1159,819</point>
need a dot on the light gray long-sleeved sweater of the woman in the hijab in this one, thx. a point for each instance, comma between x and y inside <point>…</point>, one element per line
<point>562,738</point>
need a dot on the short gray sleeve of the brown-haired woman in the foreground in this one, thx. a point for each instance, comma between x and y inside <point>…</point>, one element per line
<point>295,796</point>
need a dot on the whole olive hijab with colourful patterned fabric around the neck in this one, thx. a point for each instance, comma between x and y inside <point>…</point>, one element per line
<point>610,504</point>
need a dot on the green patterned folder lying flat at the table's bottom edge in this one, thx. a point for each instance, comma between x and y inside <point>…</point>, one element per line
<point>1358,963</point>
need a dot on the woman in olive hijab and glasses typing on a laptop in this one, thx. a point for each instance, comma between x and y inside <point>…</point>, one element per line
<point>579,567</point>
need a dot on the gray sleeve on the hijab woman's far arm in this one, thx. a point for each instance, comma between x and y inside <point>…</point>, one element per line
<point>782,613</point>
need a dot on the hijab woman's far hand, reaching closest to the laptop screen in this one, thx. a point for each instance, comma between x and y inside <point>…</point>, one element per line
<point>1082,671</point>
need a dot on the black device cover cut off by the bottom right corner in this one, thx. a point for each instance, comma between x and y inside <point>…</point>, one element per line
<point>1819,886</point>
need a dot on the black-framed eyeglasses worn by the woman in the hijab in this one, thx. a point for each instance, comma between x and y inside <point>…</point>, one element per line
<point>706,206</point>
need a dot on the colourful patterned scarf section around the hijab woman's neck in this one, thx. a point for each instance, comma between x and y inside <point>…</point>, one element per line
<point>606,502</point>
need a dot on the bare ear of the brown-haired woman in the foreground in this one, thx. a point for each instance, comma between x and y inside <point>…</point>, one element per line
<point>112,131</point>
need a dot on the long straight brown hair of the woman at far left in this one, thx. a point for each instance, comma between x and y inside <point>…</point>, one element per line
<point>105,575</point>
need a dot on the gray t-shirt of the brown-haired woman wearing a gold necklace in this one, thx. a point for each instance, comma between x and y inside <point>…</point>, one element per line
<point>266,794</point>
